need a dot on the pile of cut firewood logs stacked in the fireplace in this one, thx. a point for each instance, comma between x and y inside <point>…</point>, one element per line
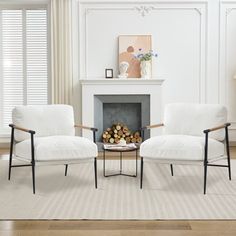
<point>119,131</point>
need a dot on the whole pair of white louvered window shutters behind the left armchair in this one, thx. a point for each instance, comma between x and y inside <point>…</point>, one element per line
<point>23,60</point>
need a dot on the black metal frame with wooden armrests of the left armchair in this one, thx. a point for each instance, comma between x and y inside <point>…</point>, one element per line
<point>32,133</point>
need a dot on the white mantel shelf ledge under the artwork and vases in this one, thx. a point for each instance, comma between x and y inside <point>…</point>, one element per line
<point>131,81</point>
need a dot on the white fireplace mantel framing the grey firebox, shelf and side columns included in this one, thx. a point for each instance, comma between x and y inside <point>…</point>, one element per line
<point>116,86</point>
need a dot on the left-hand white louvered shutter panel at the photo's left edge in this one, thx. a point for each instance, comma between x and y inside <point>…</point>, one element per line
<point>12,62</point>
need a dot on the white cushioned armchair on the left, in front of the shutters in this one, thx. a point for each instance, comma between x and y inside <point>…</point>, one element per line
<point>46,135</point>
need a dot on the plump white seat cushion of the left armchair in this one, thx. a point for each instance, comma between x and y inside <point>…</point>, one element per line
<point>57,148</point>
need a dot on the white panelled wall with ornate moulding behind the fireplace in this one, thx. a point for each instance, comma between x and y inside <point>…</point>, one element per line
<point>195,40</point>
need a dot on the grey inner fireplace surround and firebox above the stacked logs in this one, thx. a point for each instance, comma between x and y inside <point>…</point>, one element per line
<point>132,110</point>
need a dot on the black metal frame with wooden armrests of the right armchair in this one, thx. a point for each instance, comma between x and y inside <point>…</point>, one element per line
<point>205,161</point>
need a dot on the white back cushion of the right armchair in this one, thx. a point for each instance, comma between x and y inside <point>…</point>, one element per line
<point>192,119</point>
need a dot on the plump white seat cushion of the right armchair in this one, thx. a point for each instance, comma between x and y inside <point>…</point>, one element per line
<point>180,147</point>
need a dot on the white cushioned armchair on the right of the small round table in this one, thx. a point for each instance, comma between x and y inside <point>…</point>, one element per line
<point>192,133</point>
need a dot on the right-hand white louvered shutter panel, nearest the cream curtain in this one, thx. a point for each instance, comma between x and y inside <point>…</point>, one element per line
<point>36,57</point>
